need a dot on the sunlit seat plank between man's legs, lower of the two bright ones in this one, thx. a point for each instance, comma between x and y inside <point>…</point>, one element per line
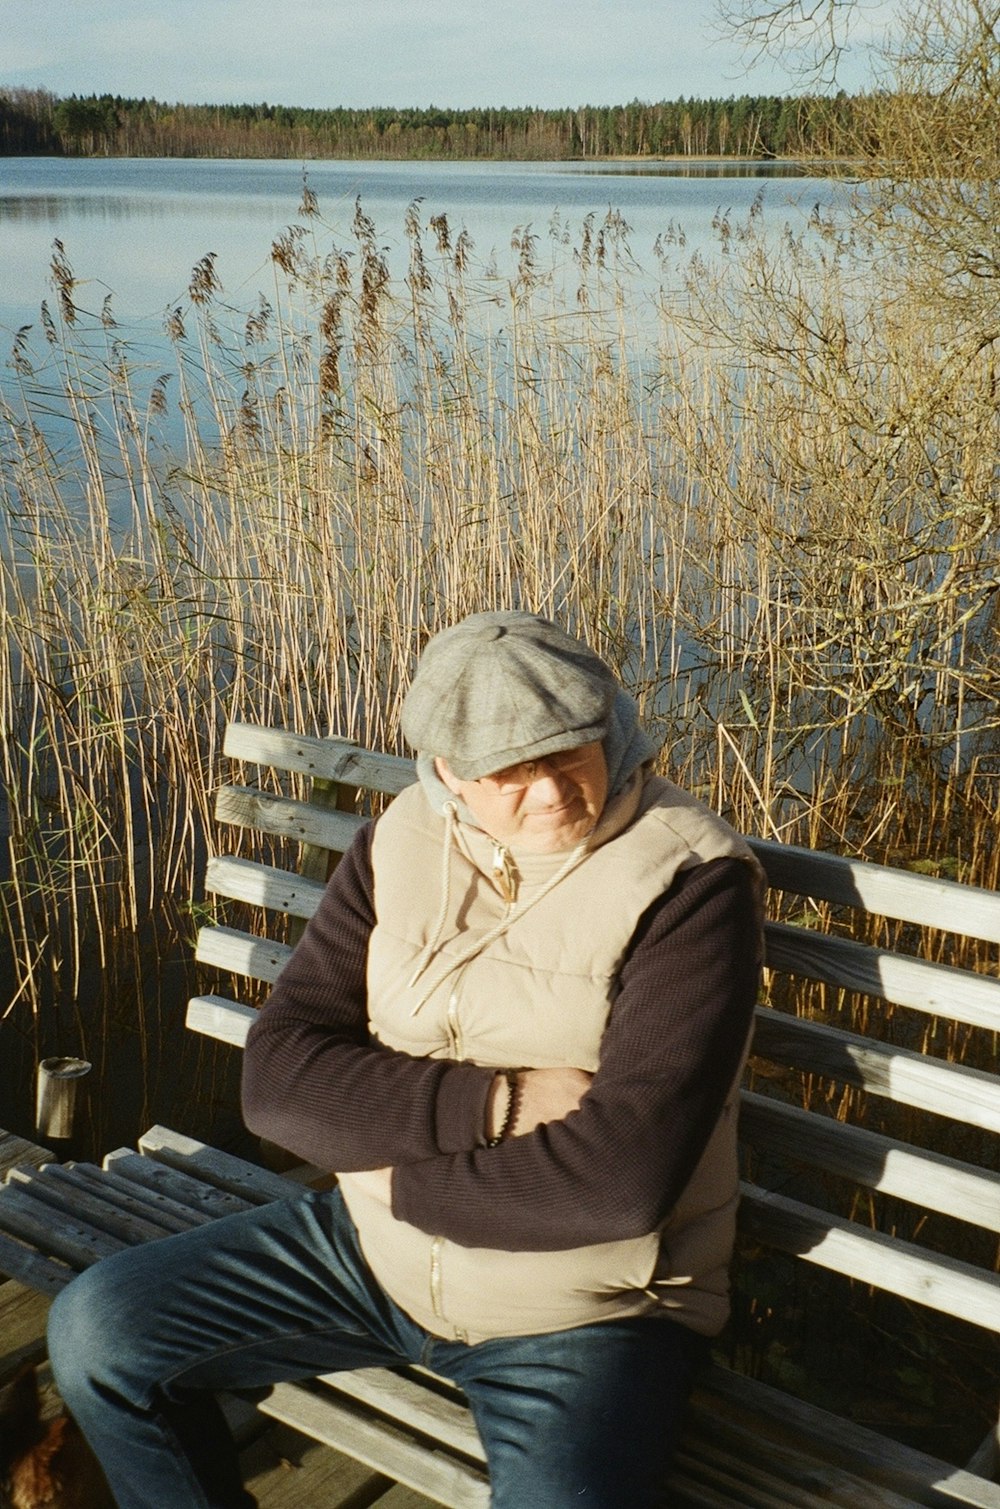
<point>378,1443</point>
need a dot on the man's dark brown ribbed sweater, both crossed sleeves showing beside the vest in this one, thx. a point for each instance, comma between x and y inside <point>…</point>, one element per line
<point>316,1084</point>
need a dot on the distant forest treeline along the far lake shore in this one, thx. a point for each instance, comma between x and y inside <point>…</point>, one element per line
<point>34,121</point>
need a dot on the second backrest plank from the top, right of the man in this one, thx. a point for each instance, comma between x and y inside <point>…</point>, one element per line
<point>940,991</point>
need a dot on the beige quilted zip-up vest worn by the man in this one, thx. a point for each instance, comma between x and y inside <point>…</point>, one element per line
<point>533,985</point>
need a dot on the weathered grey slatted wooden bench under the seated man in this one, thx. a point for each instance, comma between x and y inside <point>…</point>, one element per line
<point>842,1131</point>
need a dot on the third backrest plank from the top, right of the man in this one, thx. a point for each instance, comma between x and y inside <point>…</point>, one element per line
<point>897,1074</point>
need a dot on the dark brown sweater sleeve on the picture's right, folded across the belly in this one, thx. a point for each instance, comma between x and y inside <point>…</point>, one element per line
<point>676,1039</point>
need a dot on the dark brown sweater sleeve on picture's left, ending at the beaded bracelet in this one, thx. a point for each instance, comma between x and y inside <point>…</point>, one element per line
<point>317,1084</point>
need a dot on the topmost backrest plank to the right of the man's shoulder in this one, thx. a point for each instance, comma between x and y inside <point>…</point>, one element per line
<point>948,905</point>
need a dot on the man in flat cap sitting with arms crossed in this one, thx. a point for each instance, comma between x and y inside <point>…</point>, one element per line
<point>515,1028</point>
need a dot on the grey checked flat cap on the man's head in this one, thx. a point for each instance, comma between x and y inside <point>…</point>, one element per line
<point>503,687</point>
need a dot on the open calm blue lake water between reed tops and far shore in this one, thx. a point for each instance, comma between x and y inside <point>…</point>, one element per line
<point>137,227</point>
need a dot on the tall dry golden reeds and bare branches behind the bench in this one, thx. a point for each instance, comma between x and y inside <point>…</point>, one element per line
<point>771,503</point>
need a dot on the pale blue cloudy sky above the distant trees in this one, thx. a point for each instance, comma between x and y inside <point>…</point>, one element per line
<point>364,54</point>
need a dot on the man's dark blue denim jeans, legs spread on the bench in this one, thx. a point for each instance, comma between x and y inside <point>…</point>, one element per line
<point>143,1341</point>
